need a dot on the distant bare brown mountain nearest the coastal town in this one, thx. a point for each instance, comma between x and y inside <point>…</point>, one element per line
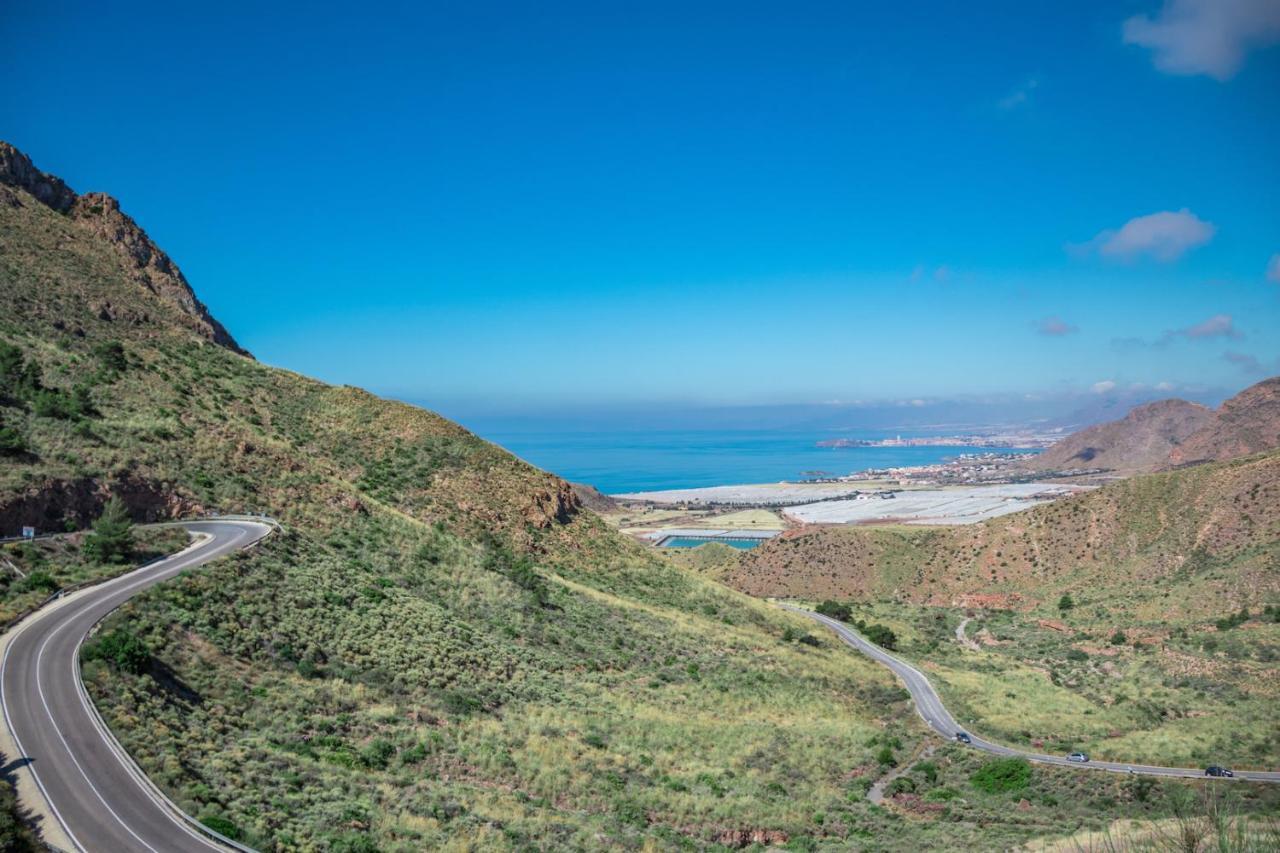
<point>1141,441</point>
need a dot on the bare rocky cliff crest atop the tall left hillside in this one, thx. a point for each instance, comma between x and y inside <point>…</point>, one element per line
<point>100,215</point>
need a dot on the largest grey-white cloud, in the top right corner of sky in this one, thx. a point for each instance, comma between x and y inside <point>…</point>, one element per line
<point>1205,37</point>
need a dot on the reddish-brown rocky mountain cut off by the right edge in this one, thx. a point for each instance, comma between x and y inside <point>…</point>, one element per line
<point>1247,423</point>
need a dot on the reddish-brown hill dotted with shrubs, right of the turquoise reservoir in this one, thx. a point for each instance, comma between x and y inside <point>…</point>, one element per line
<point>1201,541</point>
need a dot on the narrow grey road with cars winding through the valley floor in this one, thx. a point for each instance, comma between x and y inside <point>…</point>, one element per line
<point>935,714</point>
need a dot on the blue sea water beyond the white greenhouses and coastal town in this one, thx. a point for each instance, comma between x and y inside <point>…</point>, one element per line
<point>642,462</point>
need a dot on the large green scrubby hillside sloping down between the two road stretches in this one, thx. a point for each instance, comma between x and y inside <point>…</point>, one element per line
<point>444,650</point>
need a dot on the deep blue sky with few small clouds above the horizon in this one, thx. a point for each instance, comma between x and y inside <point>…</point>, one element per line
<point>513,207</point>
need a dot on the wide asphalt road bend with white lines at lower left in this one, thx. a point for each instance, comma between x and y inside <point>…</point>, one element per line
<point>94,792</point>
